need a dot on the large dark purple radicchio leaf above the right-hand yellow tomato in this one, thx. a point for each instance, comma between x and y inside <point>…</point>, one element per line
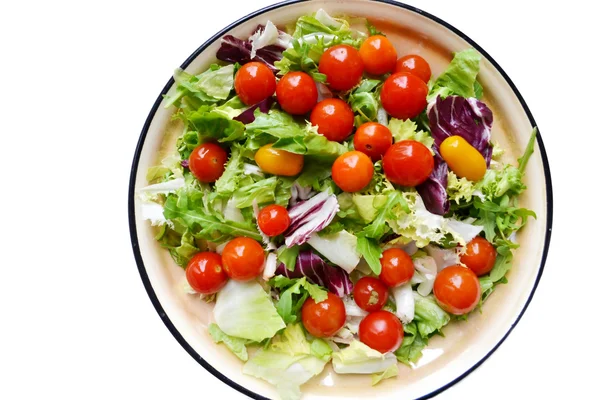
<point>469,118</point>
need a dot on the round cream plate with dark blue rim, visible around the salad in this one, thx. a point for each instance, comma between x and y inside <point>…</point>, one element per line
<point>466,344</point>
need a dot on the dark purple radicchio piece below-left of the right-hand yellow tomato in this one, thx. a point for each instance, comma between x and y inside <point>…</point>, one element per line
<point>433,190</point>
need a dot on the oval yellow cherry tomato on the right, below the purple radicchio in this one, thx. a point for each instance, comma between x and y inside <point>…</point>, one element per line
<point>463,159</point>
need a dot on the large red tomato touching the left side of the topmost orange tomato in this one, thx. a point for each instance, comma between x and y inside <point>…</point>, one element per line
<point>343,67</point>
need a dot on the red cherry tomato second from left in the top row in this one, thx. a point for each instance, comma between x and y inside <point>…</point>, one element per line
<point>297,93</point>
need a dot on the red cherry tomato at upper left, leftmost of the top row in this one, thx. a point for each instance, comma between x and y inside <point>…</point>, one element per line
<point>254,82</point>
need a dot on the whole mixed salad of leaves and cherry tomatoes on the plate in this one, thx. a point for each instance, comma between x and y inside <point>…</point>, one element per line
<point>333,199</point>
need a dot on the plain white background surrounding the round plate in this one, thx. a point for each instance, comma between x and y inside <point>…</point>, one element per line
<point>77,81</point>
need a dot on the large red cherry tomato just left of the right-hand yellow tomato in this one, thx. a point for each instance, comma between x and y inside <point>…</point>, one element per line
<point>408,163</point>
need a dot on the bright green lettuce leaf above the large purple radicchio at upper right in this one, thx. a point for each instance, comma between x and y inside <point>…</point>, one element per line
<point>459,78</point>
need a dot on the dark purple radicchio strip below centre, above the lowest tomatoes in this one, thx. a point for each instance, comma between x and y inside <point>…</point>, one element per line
<point>317,271</point>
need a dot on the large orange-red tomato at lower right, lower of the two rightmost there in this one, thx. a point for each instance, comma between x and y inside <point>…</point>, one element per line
<point>457,290</point>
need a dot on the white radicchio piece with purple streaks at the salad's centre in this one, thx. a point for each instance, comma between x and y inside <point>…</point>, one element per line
<point>310,216</point>
